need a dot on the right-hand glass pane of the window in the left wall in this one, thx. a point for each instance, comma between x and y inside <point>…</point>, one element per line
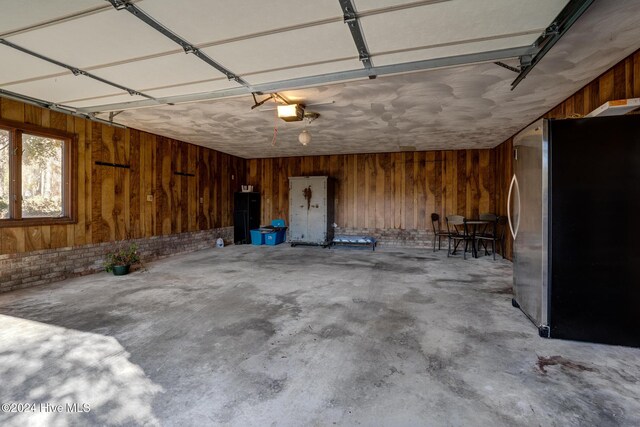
<point>41,176</point>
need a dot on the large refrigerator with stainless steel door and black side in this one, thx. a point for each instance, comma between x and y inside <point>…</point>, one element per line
<point>574,213</point>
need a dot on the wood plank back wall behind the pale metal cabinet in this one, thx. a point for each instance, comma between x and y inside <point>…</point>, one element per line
<point>385,191</point>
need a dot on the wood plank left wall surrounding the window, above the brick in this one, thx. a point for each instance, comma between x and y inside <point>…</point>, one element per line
<point>112,202</point>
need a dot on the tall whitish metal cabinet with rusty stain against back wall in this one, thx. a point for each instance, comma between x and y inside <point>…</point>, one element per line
<point>311,207</point>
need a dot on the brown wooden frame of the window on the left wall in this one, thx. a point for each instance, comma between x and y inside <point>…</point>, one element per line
<point>69,168</point>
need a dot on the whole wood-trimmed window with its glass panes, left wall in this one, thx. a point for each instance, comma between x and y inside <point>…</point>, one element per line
<point>35,176</point>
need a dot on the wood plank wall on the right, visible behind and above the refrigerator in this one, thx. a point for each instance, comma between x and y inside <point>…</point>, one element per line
<point>619,82</point>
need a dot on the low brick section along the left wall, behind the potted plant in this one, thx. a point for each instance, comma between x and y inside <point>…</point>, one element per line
<point>24,270</point>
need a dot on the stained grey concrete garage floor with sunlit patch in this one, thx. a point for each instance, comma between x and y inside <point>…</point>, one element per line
<point>256,336</point>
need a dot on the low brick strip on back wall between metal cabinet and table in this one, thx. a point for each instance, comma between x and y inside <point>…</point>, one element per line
<point>394,237</point>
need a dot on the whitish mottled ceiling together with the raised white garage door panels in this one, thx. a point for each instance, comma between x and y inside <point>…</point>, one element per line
<point>467,106</point>
